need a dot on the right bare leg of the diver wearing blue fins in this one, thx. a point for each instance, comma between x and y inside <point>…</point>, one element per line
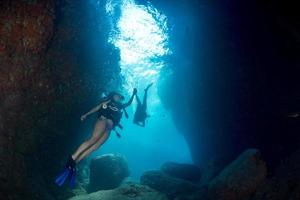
<point>100,141</point>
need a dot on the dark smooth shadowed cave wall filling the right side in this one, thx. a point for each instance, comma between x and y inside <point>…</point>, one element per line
<point>235,72</point>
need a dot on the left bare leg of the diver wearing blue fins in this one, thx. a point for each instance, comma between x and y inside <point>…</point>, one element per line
<point>98,131</point>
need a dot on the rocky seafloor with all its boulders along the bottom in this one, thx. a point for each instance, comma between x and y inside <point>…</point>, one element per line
<point>245,178</point>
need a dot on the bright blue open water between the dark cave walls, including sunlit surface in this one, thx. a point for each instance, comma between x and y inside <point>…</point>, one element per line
<point>141,35</point>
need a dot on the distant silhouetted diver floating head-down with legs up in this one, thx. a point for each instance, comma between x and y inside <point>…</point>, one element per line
<point>140,114</point>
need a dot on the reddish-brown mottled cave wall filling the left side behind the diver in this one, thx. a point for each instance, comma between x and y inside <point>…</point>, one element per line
<point>54,64</point>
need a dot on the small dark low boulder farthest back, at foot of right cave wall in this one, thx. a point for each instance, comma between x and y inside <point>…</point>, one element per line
<point>187,172</point>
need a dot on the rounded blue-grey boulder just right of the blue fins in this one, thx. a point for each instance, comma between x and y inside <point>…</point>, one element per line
<point>107,172</point>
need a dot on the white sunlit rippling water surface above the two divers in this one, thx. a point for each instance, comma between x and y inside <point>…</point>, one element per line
<point>142,38</point>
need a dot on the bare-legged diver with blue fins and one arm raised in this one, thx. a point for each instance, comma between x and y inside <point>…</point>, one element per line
<point>110,111</point>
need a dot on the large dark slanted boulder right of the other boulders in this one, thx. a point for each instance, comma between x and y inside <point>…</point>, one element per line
<point>240,179</point>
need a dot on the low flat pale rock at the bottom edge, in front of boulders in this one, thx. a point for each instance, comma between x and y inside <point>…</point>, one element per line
<point>125,192</point>
